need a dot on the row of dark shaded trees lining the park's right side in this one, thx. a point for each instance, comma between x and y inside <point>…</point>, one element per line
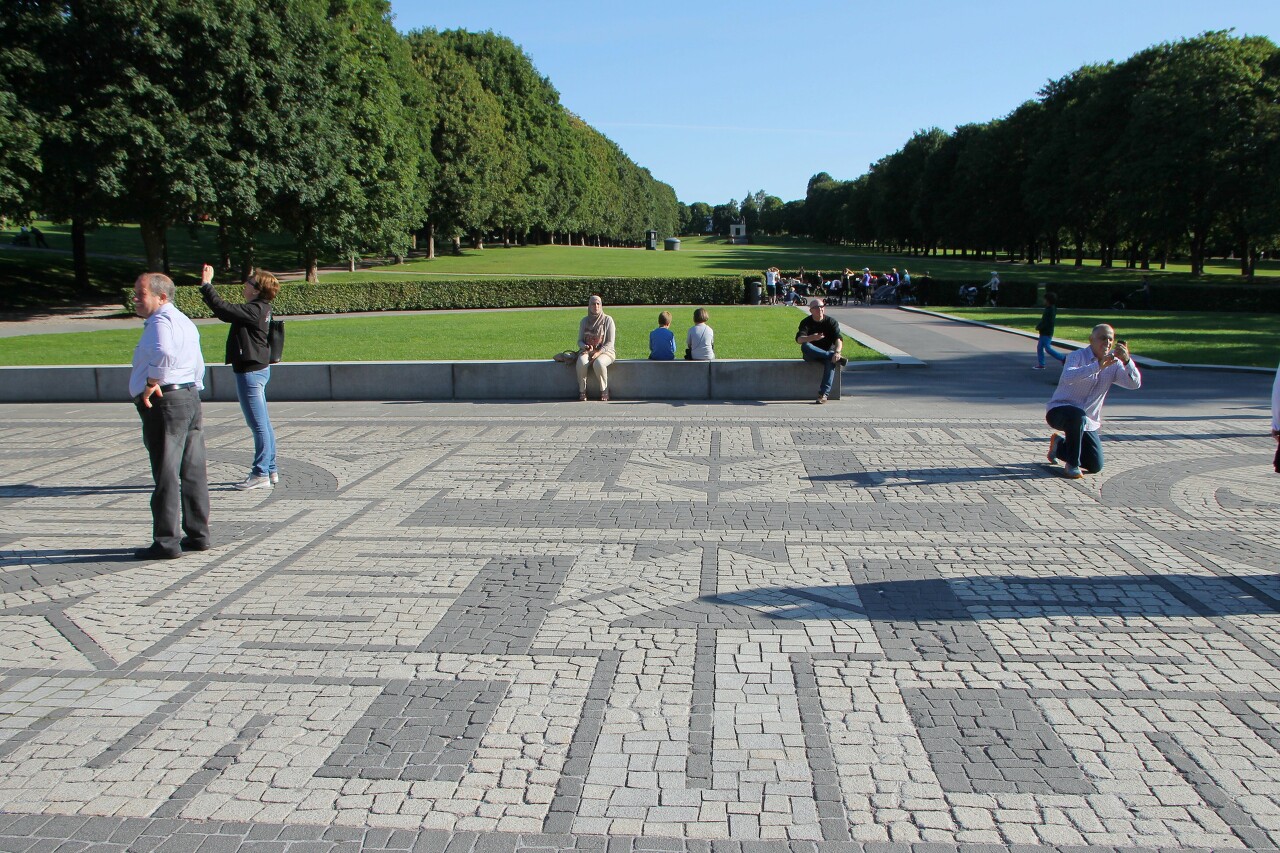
<point>1176,150</point>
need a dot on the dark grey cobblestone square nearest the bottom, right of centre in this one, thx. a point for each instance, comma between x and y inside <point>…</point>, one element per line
<point>991,742</point>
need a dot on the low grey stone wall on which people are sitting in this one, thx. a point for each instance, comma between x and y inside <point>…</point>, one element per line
<point>638,380</point>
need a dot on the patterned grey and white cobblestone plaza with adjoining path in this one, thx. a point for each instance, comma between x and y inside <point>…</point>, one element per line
<point>651,627</point>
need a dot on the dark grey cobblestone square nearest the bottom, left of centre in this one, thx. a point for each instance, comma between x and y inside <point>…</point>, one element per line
<point>418,731</point>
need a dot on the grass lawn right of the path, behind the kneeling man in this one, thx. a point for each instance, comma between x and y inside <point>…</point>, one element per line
<point>1180,337</point>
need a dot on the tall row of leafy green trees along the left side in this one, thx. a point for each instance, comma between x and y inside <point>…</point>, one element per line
<point>314,118</point>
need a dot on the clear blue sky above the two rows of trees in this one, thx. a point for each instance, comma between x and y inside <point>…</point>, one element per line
<point>723,99</point>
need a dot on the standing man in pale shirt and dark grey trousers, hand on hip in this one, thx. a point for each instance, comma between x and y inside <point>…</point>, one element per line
<point>166,384</point>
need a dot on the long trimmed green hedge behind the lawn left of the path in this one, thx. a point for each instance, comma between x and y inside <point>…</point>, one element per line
<point>383,295</point>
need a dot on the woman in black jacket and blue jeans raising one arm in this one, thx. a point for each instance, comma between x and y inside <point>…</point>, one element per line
<point>250,357</point>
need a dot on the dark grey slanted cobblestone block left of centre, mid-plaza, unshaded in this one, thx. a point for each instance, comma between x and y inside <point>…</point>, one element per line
<point>502,609</point>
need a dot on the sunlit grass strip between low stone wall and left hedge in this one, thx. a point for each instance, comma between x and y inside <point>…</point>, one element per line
<point>742,332</point>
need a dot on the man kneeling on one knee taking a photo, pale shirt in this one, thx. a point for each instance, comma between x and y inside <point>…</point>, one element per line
<point>1077,405</point>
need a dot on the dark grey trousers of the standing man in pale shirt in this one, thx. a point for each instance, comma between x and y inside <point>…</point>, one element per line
<point>173,435</point>
